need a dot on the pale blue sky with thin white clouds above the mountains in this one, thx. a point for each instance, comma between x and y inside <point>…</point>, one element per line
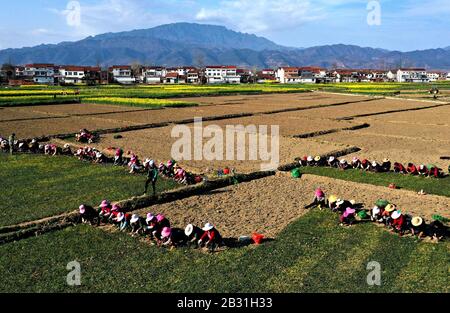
<point>405,24</point>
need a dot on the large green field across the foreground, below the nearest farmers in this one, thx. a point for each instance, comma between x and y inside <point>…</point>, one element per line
<point>313,254</point>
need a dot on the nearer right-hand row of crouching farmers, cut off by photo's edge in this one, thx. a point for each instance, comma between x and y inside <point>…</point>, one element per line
<point>383,212</point>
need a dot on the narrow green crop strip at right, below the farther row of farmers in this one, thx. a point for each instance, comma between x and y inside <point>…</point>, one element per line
<point>429,185</point>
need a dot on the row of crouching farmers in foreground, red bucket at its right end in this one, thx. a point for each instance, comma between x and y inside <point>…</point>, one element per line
<point>156,227</point>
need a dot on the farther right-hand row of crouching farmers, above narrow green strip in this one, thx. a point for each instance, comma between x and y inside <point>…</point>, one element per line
<point>429,170</point>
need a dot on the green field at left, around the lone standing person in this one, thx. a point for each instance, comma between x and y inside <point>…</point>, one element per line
<point>37,186</point>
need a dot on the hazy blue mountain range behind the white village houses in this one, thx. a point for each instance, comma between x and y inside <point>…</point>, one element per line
<point>199,44</point>
